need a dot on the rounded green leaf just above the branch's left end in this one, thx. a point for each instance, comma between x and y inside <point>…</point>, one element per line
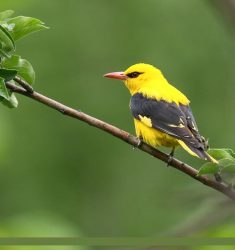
<point>24,68</point>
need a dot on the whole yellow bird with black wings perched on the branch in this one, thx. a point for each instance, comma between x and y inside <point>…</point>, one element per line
<point>162,115</point>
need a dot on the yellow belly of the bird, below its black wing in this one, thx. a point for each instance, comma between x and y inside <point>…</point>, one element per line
<point>153,136</point>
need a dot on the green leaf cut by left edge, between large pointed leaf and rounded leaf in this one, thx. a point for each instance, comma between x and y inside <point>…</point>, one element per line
<point>7,45</point>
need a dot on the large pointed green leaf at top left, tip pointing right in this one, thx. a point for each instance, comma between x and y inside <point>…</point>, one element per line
<point>24,26</point>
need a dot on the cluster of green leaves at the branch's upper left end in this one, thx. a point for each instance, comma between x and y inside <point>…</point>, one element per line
<point>11,65</point>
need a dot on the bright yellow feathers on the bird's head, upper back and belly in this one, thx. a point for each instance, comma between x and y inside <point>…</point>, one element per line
<point>153,85</point>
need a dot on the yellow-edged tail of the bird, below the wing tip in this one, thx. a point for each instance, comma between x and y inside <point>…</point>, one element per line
<point>198,152</point>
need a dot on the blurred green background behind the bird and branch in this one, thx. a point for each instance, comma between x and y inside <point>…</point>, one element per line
<point>60,177</point>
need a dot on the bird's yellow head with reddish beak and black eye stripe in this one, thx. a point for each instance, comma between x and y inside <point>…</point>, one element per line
<point>137,75</point>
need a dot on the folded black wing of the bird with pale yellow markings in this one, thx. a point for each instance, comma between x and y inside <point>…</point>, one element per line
<point>175,120</point>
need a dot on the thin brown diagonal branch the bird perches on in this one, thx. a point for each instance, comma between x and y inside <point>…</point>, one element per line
<point>121,134</point>
